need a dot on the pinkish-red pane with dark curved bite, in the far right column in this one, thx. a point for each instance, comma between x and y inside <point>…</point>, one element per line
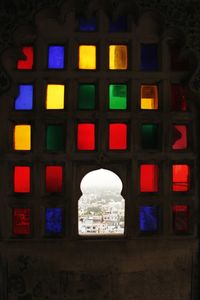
<point>179,137</point>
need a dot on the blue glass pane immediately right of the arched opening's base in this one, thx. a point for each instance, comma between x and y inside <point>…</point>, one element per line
<point>148,218</point>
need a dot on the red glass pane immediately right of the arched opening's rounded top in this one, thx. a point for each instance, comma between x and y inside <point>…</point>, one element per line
<point>149,178</point>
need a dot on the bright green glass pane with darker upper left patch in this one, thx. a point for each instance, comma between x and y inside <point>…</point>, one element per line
<point>117,96</point>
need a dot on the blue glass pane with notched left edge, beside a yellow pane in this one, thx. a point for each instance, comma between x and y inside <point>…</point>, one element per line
<point>24,101</point>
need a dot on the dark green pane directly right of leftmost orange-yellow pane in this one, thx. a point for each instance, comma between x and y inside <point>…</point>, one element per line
<point>54,138</point>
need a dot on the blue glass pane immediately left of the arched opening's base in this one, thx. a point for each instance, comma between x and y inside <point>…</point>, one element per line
<point>53,220</point>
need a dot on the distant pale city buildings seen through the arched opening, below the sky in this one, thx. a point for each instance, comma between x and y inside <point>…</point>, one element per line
<point>101,213</point>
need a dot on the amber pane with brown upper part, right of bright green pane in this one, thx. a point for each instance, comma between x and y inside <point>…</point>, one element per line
<point>149,97</point>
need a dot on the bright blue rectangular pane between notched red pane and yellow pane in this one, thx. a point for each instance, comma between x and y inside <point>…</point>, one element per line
<point>56,57</point>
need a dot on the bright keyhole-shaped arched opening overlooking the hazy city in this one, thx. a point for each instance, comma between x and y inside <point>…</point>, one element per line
<point>101,208</point>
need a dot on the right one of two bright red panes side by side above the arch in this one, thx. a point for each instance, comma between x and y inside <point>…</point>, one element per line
<point>117,136</point>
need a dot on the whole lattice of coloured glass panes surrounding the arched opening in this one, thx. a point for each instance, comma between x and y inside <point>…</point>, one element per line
<point>115,113</point>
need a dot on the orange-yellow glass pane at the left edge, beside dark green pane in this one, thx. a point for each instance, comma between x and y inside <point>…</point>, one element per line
<point>22,137</point>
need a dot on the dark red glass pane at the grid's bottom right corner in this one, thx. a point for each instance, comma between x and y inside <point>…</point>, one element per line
<point>180,218</point>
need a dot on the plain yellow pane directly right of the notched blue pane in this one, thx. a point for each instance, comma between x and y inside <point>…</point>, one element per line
<point>55,96</point>
